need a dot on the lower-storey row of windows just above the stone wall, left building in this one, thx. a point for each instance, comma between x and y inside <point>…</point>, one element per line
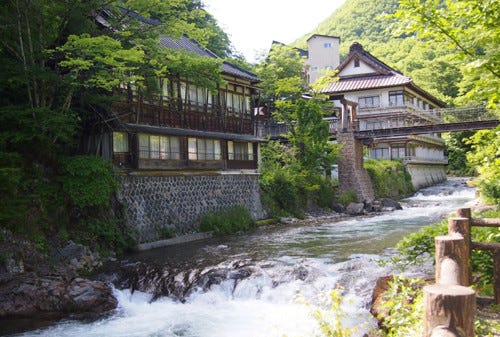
<point>169,147</point>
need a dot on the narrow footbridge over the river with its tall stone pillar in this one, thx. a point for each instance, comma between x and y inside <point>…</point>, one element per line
<point>354,130</point>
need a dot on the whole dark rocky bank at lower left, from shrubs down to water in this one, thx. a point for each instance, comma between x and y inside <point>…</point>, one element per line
<point>33,284</point>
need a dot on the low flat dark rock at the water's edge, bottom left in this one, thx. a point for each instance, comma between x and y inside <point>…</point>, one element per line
<point>28,295</point>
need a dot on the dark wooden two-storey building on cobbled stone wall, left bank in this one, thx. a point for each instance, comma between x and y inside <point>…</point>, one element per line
<point>185,150</point>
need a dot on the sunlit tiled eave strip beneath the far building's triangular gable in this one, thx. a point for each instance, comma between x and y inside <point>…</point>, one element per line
<point>366,82</point>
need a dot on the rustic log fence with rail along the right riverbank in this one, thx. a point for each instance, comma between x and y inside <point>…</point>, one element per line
<point>449,305</point>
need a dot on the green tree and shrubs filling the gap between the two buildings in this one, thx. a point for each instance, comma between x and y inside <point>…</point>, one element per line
<point>293,174</point>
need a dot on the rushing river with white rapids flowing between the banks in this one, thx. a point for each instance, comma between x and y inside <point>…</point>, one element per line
<point>274,278</point>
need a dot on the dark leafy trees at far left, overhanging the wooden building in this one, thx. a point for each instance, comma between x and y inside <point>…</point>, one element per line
<point>60,64</point>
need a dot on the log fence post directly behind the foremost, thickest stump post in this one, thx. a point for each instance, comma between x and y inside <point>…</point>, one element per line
<point>451,260</point>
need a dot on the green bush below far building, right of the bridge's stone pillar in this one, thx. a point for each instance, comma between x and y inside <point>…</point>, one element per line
<point>390,178</point>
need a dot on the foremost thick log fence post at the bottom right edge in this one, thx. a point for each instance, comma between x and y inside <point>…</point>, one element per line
<point>449,311</point>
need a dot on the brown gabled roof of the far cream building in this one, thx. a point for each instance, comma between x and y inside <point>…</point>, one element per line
<point>382,76</point>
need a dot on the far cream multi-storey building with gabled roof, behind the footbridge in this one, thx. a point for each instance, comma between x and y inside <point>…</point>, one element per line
<point>382,97</point>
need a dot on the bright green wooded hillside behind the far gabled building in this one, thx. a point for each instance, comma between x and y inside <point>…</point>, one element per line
<point>450,50</point>
